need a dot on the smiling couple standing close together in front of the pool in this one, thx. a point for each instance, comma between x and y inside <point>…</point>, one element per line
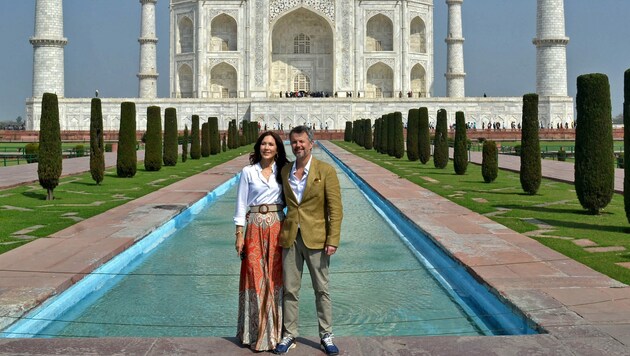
<point>275,248</point>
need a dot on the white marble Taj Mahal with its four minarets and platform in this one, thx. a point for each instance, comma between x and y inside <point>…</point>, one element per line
<point>289,62</point>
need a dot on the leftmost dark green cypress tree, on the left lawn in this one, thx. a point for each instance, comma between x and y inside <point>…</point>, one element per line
<point>49,164</point>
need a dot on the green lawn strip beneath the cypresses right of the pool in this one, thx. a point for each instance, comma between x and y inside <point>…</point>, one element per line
<point>503,201</point>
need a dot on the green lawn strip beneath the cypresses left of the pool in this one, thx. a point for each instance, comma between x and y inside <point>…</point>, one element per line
<point>77,197</point>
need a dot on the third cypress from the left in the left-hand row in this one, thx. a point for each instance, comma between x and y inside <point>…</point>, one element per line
<point>127,160</point>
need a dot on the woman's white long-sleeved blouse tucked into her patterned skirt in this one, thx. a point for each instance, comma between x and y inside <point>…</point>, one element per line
<point>254,189</point>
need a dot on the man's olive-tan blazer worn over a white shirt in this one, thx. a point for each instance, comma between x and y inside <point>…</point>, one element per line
<point>320,212</point>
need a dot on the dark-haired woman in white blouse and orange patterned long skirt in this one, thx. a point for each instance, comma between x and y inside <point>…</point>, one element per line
<point>259,203</point>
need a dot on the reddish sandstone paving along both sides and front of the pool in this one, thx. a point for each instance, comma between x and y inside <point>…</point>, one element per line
<point>582,311</point>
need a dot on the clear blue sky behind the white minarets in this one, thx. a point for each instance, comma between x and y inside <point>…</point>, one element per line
<point>500,59</point>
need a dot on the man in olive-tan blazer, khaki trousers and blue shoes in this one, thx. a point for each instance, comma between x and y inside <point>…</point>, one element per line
<point>310,233</point>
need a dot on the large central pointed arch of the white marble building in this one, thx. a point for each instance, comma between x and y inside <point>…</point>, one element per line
<point>302,53</point>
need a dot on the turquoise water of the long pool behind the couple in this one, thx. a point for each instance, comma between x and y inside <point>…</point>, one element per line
<point>189,285</point>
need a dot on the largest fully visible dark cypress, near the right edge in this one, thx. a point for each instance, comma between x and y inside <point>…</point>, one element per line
<point>594,158</point>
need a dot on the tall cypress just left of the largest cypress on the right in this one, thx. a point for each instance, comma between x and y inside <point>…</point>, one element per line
<point>531,169</point>
